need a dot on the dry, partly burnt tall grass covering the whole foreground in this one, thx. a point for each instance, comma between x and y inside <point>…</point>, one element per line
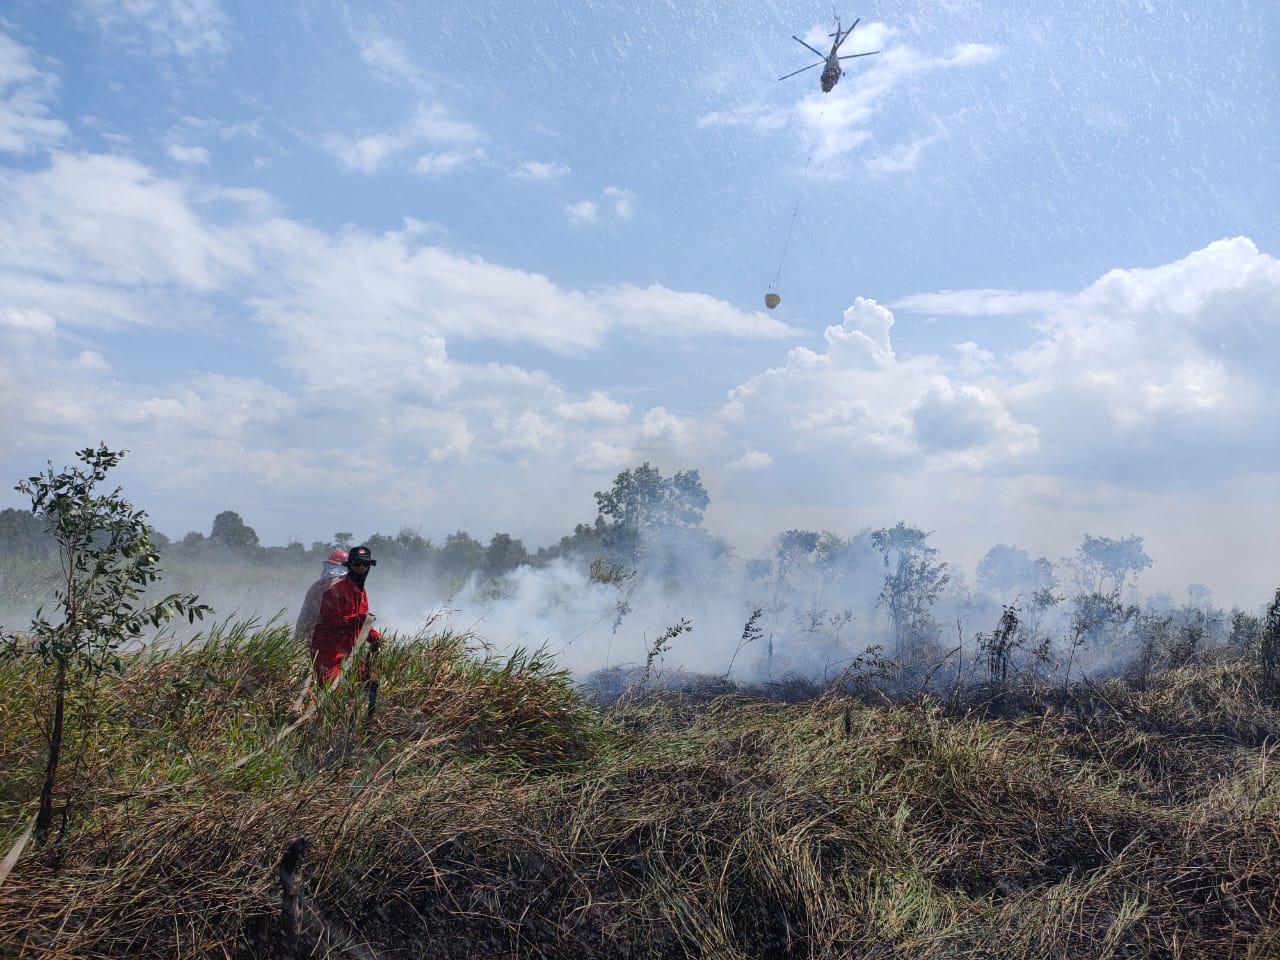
<point>490,810</point>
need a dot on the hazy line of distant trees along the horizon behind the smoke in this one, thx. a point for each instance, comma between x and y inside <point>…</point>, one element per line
<point>651,527</point>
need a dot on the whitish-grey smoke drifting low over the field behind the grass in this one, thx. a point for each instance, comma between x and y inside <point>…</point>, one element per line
<point>812,606</point>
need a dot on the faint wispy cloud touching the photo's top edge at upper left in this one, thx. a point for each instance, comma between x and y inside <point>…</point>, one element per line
<point>185,29</point>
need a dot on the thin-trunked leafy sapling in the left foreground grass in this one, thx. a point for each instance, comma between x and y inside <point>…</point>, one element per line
<point>108,561</point>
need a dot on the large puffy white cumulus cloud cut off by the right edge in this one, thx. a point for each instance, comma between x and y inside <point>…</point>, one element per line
<point>1171,371</point>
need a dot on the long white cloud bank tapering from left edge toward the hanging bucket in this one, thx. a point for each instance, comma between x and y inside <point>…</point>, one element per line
<point>106,241</point>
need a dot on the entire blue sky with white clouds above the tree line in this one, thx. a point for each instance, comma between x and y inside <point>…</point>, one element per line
<point>455,266</point>
